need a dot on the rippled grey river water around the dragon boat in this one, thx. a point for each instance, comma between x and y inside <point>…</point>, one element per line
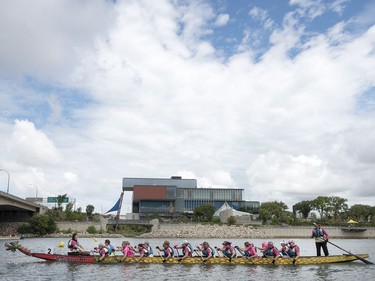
<point>16,266</point>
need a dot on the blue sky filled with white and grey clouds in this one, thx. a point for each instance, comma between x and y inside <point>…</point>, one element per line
<point>275,97</point>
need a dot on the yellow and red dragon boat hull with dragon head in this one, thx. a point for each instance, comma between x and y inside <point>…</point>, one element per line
<point>90,258</point>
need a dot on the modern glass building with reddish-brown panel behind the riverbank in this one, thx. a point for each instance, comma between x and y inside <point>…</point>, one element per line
<point>175,196</point>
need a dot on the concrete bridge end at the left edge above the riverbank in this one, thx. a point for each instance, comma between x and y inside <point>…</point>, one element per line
<point>16,209</point>
